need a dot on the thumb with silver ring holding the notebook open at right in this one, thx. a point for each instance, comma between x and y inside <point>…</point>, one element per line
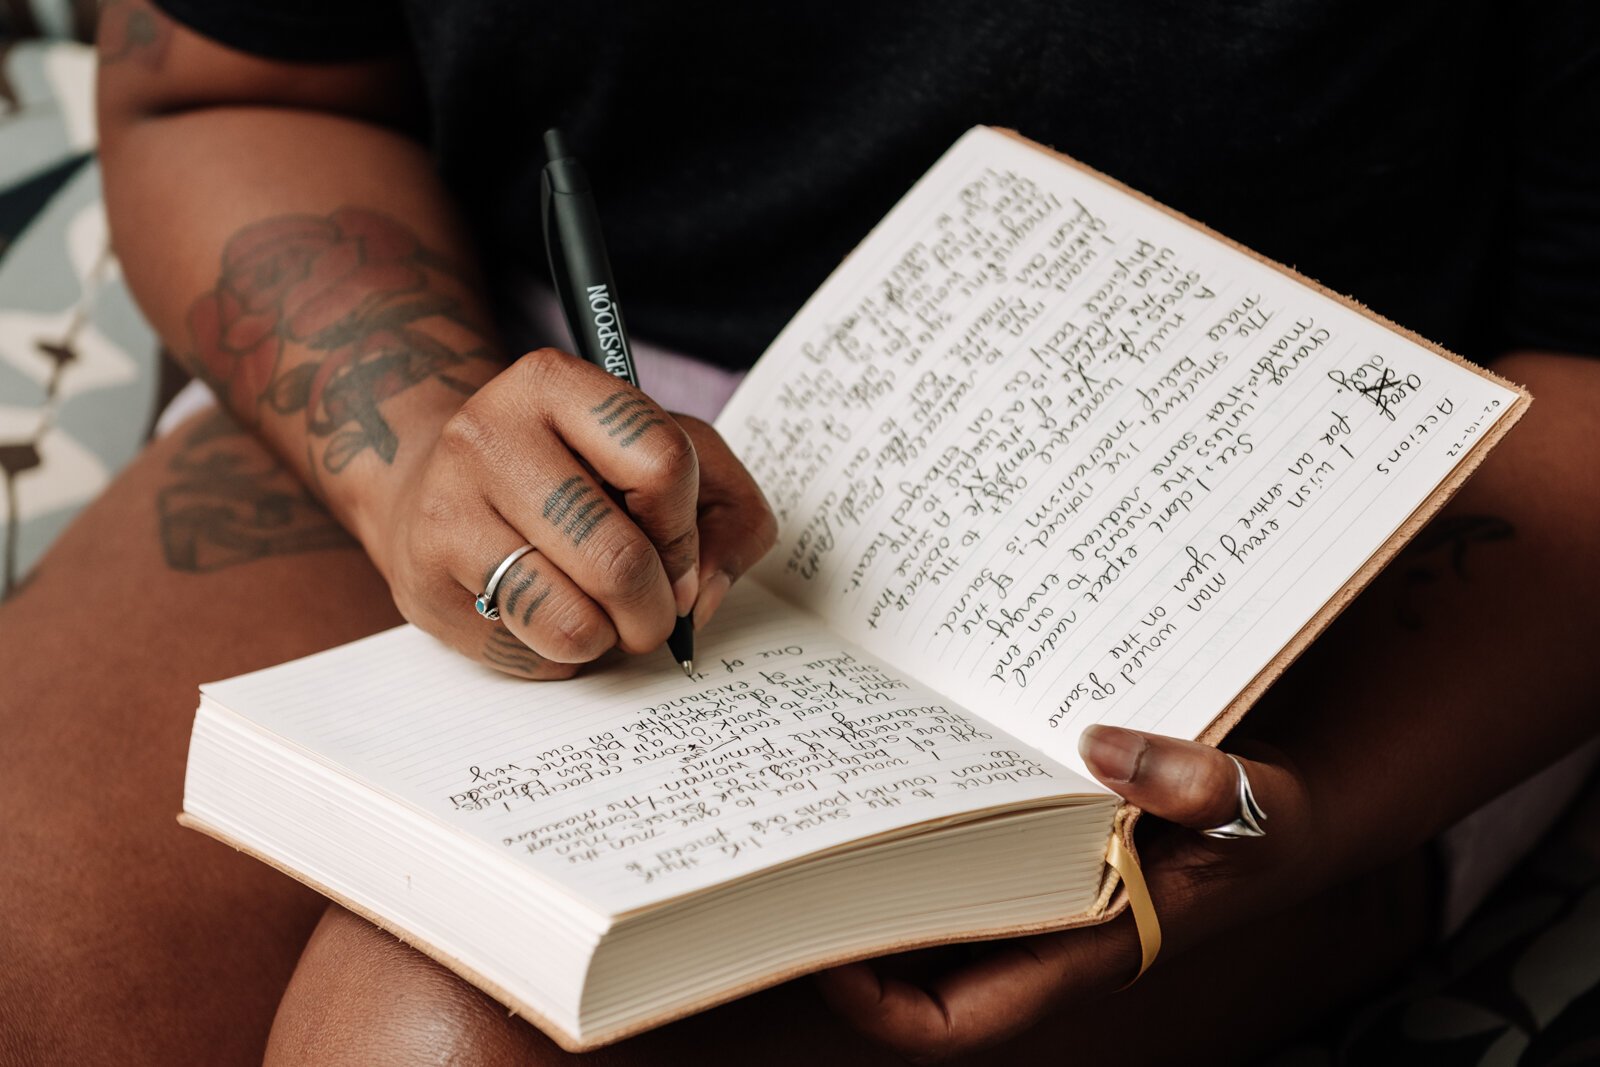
<point>1180,781</point>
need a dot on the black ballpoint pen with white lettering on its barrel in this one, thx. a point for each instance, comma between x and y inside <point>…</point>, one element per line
<point>582,274</point>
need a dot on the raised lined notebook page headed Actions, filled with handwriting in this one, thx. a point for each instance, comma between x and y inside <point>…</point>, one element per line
<point>1068,460</point>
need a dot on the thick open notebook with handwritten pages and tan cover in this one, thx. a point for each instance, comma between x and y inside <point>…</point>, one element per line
<point>1044,455</point>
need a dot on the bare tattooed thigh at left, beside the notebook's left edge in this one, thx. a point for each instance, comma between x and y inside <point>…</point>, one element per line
<point>122,937</point>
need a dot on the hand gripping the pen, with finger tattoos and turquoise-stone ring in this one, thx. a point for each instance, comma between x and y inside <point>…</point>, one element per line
<point>634,516</point>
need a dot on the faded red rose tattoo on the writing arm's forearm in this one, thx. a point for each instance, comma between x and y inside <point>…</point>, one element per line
<point>330,318</point>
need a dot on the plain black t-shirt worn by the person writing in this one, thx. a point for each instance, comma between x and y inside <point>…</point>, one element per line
<point>1434,159</point>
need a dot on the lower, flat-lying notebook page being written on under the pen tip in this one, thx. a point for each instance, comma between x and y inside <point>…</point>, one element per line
<point>638,785</point>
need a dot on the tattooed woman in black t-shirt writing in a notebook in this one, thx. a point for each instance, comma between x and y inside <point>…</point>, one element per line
<point>327,209</point>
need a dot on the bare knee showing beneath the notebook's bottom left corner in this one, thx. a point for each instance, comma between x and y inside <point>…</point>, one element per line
<point>362,997</point>
